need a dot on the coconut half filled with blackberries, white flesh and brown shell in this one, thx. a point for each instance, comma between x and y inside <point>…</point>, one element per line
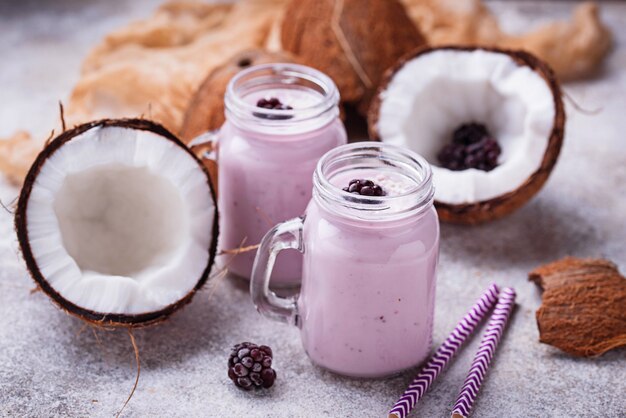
<point>512,96</point>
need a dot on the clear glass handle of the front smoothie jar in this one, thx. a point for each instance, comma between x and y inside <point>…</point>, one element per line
<point>285,235</point>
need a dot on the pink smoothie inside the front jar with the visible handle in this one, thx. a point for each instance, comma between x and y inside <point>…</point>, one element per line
<point>367,299</point>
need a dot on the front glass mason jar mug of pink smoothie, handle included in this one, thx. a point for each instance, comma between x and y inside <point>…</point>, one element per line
<point>366,304</point>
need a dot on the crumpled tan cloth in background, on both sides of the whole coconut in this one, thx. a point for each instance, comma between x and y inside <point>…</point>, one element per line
<point>152,67</point>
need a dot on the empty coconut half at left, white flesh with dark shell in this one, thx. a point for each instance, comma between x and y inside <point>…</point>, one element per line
<point>117,222</point>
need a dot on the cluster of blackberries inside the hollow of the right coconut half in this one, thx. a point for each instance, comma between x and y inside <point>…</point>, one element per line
<point>472,147</point>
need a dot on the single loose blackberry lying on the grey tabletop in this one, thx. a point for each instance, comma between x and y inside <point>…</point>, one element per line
<point>250,366</point>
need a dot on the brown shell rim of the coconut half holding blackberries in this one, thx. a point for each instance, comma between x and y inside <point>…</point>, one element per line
<point>500,206</point>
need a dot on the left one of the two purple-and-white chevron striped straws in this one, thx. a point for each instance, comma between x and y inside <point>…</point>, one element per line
<point>444,353</point>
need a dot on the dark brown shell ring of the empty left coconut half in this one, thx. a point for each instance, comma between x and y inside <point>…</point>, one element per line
<point>103,319</point>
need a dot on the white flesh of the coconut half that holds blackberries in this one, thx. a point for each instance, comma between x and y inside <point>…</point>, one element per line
<point>431,95</point>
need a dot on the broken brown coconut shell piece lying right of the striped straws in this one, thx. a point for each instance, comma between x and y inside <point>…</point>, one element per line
<point>583,311</point>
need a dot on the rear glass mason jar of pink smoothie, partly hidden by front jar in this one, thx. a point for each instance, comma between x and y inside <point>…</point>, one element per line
<point>266,156</point>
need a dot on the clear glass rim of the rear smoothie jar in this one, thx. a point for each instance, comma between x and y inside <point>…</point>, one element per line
<point>281,74</point>
